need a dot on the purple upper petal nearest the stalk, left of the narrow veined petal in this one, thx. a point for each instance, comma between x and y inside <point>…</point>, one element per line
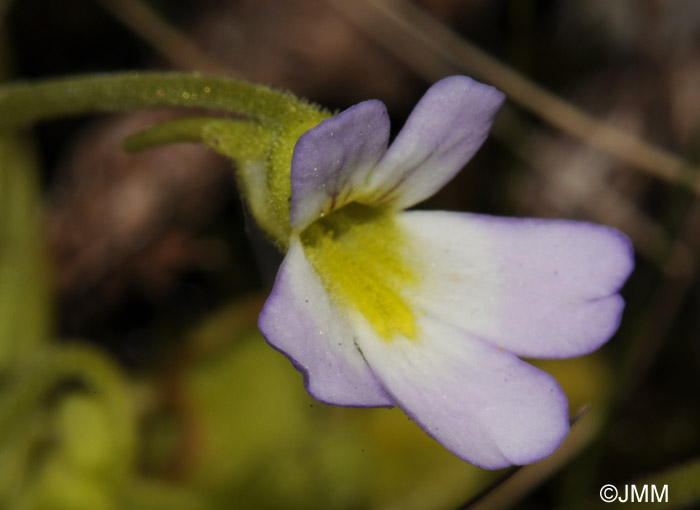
<point>331,161</point>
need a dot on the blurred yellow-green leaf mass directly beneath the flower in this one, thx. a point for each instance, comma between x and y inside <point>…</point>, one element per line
<point>253,438</point>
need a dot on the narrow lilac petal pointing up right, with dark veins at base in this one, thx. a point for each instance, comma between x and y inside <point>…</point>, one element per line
<point>445,129</point>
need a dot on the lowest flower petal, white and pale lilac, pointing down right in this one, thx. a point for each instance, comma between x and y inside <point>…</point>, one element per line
<point>482,403</point>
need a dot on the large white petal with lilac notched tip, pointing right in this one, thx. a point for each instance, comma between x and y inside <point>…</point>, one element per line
<point>538,288</point>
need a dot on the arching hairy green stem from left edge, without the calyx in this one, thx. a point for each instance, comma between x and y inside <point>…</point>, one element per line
<point>24,103</point>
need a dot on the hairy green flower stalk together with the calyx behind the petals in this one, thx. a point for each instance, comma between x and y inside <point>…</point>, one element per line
<point>260,139</point>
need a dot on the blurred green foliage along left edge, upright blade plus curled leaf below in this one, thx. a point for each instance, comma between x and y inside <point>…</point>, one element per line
<point>66,422</point>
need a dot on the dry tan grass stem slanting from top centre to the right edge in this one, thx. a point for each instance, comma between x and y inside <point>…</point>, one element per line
<point>399,25</point>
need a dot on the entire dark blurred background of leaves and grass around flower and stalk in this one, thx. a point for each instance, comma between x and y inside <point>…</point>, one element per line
<point>131,371</point>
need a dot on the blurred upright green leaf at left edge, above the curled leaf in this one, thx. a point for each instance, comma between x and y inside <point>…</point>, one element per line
<point>24,303</point>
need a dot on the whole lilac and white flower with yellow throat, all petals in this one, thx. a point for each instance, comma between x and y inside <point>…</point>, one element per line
<point>431,310</point>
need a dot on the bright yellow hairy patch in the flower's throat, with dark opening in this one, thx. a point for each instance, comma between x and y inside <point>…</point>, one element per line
<point>360,254</point>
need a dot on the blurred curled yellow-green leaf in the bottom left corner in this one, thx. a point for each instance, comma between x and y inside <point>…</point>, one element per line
<point>67,431</point>
